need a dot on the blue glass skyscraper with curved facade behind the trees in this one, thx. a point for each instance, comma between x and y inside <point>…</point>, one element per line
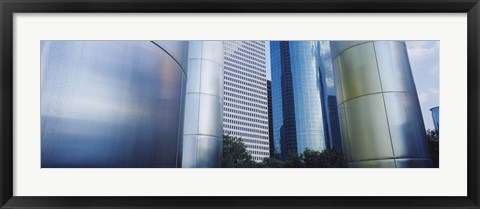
<point>298,121</point>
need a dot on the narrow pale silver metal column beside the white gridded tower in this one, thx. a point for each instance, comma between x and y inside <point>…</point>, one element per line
<point>202,140</point>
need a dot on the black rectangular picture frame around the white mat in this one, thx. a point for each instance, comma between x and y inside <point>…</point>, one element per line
<point>9,7</point>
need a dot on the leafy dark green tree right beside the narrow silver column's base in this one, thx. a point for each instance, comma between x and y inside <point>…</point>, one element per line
<point>235,153</point>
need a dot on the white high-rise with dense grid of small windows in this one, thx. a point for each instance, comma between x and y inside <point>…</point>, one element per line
<point>245,109</point>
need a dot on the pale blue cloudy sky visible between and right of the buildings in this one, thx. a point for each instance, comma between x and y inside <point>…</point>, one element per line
<point>424,61</point>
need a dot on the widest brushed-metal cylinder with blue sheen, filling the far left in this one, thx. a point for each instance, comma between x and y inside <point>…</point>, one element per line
<point>112,103</point>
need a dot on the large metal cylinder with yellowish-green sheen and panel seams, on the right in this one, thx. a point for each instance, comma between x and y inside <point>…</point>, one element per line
<point>380,118</point>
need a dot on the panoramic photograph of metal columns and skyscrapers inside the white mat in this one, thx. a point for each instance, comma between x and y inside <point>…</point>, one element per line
<point>239,104</point>
